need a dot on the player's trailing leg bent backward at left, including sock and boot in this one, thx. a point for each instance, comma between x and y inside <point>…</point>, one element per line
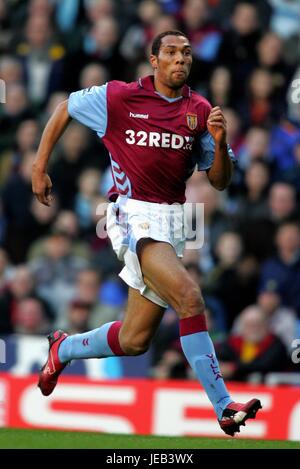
<point>130,337</point>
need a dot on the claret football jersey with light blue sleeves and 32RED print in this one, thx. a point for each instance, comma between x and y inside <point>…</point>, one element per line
<point>154,142</point>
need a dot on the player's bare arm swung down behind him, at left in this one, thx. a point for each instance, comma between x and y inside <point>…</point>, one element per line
<point>41,182</point>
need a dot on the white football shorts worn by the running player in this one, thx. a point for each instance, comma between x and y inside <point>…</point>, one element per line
<point>128,221</point>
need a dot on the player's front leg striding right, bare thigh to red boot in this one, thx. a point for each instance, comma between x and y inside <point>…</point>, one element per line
<point>164,273</point>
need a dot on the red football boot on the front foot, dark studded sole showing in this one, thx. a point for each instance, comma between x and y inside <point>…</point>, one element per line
<point>236,415</point>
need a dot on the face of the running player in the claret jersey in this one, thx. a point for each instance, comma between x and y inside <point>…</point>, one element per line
<point>174,61</point>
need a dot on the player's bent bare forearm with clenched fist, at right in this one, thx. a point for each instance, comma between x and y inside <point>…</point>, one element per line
<point>220,172</point>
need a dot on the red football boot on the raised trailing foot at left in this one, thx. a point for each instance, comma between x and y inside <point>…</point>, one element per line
<point>53,367</point>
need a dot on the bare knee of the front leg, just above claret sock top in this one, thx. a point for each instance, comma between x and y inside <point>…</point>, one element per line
<point>191,301</point>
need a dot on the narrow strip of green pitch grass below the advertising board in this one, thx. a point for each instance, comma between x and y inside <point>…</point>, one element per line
<point>48,439</point>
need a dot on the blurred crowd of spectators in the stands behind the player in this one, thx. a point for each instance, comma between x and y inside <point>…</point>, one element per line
<point>54,269</point>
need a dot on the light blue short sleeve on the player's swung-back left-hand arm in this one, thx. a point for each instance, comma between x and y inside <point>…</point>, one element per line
<point>89,107</point>
